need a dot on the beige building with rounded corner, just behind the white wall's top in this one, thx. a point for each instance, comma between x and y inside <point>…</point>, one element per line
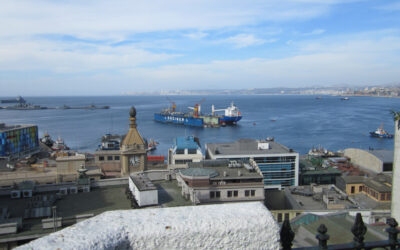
<point>212,181</point>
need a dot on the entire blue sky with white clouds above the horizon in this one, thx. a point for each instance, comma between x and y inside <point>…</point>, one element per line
<point>97,47</point>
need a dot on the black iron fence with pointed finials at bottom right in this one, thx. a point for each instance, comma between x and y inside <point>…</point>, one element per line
<point>359,230</point>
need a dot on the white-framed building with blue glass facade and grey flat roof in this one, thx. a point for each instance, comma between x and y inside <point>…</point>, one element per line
<point>278,164</point>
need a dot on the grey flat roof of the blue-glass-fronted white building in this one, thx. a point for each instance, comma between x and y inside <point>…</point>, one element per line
<point>247,147</point>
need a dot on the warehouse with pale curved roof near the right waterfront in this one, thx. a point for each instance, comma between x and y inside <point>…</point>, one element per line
<point>376,161</point>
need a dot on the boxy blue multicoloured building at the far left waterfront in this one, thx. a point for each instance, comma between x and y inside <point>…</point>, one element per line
<point>18,141</point>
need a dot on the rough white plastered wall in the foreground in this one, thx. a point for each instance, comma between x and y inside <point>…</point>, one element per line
<point>225,226</point>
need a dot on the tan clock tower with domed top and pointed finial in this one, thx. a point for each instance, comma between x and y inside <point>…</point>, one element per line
<point>133,150</point>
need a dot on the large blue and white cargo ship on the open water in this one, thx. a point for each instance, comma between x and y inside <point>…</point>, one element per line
<point>196,119</point>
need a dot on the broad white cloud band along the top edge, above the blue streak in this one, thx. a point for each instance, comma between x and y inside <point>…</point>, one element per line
<point>113,19</point>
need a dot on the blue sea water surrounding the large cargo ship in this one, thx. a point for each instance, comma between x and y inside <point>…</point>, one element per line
<point>297,121</point>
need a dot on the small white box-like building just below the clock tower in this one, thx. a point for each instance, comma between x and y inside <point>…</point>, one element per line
<point>143,190</point>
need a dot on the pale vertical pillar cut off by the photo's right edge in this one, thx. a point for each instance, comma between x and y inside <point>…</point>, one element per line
<point>396,174</point>
